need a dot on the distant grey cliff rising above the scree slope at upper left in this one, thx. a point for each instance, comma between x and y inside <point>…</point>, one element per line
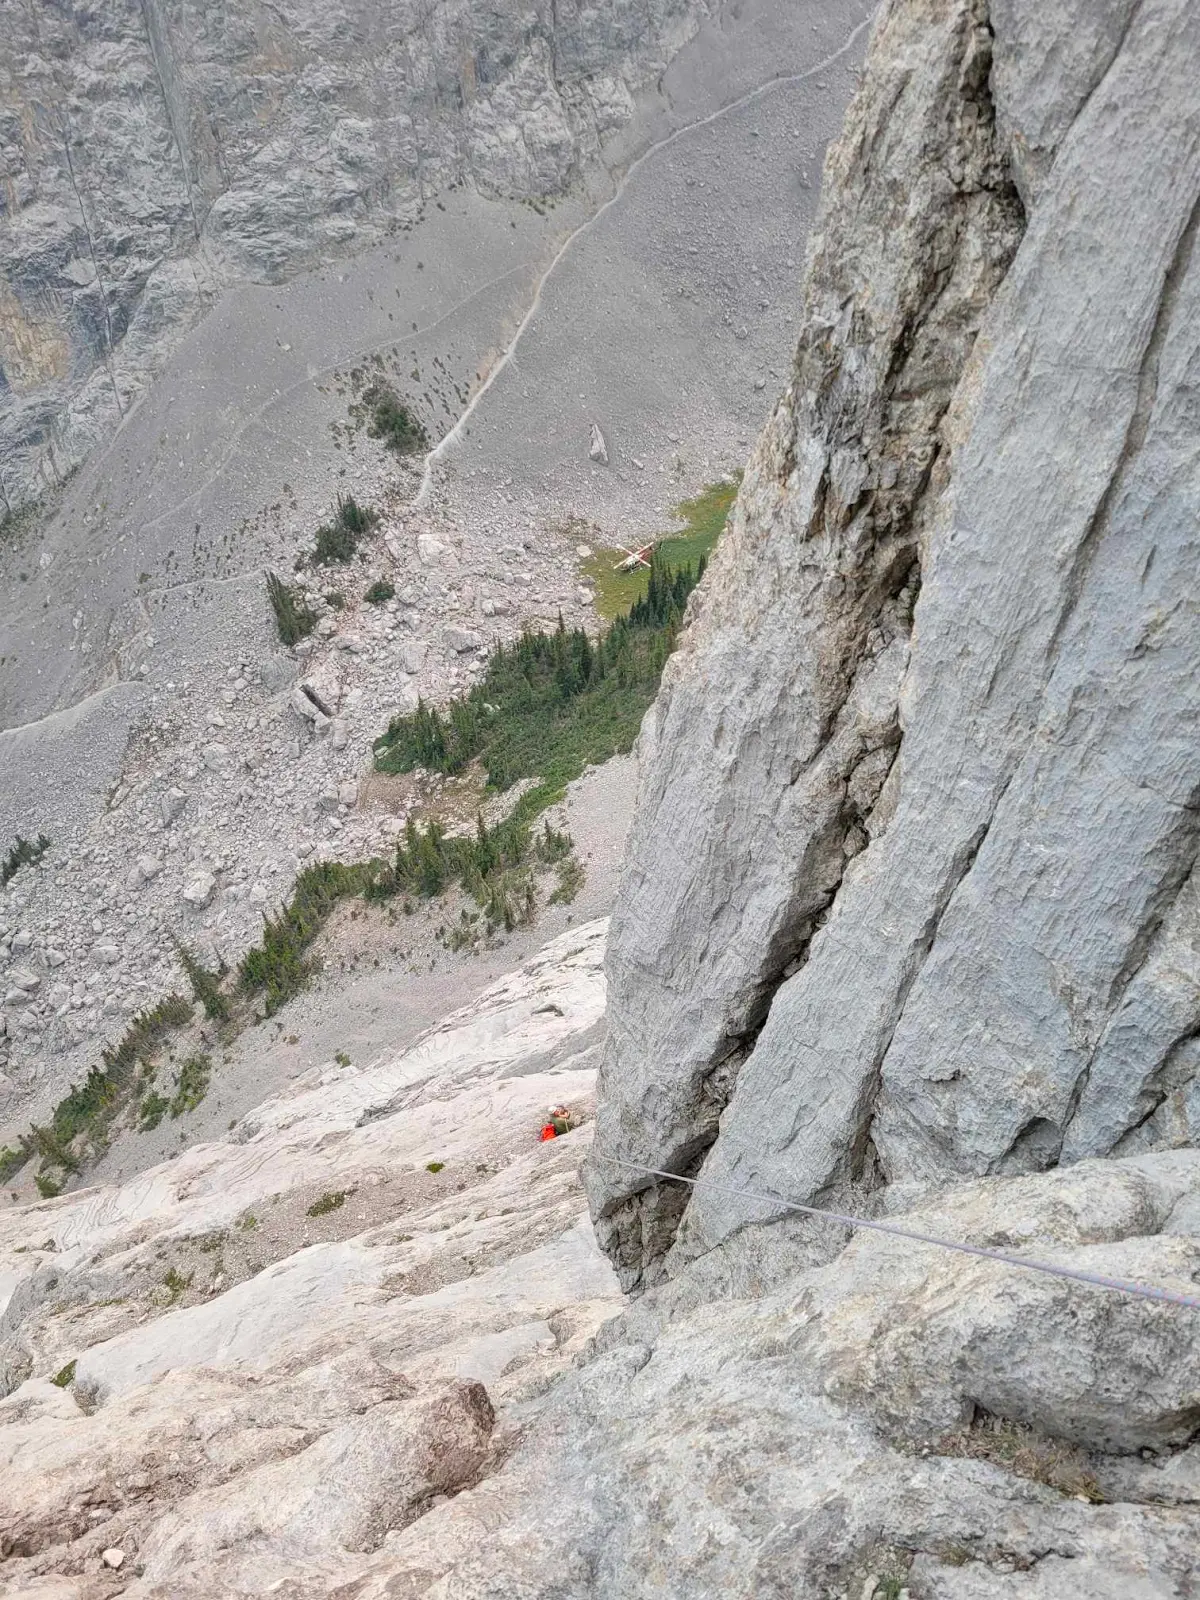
<point>154,153</point>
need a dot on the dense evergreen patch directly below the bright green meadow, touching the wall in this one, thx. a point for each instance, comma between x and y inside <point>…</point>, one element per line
<point>551,702</point>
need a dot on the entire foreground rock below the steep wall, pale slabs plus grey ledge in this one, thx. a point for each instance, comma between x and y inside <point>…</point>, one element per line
<point>222,1383</point>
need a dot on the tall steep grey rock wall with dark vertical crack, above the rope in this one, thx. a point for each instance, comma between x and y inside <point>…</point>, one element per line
<point>911,894</point>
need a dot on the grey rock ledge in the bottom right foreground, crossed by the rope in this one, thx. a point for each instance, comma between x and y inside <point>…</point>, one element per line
<point>865,1430</point>
